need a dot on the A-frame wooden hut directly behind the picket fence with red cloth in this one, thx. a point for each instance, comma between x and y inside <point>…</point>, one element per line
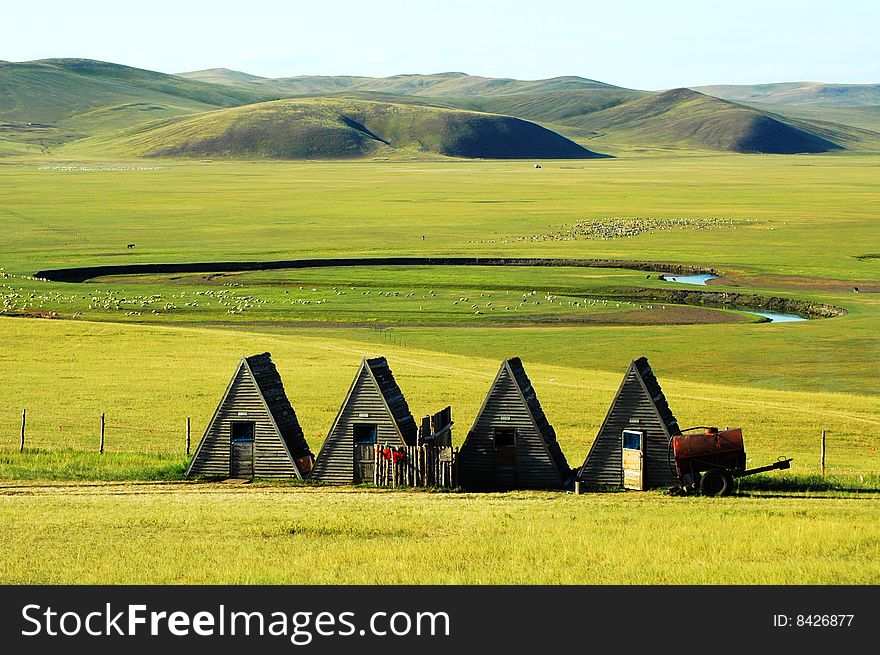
<point>374,412</point>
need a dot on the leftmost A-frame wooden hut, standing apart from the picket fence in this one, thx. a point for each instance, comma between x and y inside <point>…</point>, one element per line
<point>254,431</point>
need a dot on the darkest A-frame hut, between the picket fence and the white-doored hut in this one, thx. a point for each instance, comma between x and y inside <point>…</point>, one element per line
<point>511,444</point>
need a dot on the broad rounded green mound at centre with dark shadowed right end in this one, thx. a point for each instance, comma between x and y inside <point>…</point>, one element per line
<point>321,128</point>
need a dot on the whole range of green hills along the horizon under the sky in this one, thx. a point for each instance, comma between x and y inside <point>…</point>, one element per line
<point>47,104</point>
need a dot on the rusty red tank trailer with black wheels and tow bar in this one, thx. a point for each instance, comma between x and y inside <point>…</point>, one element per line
<point>709,459</point>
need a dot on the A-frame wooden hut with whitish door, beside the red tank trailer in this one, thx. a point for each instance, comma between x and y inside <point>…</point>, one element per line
<point>632,447</point>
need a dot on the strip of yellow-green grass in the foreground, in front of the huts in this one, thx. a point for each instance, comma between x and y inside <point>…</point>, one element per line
<point>301,535</point>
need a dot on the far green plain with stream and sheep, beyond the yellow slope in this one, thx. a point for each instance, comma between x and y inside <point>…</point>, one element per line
<point>800,225</point>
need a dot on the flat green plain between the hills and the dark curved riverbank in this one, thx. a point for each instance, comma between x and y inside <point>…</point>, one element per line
<point>63,212</point>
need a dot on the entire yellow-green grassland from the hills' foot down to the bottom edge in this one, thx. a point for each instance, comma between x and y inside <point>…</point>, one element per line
<point>800,225</point>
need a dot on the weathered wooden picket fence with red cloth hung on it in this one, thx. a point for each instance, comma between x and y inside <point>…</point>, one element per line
<point>415,466</point>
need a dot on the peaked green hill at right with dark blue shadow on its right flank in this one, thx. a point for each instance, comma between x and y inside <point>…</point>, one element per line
<point>686,118</point>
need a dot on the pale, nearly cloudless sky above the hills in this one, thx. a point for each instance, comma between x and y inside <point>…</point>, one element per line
<point>644,45</point>
